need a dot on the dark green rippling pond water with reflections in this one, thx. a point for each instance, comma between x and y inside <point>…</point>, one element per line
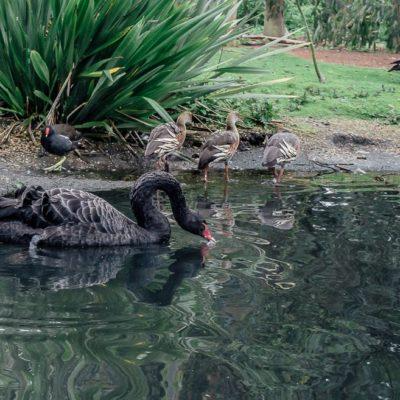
<point>299,299</point>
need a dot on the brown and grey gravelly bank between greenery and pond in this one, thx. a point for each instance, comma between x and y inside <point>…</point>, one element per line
<point>326,146</point>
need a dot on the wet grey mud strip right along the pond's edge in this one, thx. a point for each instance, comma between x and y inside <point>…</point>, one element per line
<point>250,160</point>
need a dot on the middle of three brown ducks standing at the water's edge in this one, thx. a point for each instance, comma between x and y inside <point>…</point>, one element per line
<point>221,147</point>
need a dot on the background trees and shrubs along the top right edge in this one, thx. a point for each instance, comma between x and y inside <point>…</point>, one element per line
<point>353,23</point>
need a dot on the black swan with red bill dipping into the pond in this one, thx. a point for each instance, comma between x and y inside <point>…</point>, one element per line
<point>73,218</point>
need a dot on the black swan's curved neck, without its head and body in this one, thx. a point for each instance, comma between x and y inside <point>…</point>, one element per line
<point>147,214</point>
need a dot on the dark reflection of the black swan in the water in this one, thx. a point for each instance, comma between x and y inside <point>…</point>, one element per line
<point>134,268</point>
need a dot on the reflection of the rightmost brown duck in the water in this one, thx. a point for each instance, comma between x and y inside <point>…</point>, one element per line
<point>275,214</point>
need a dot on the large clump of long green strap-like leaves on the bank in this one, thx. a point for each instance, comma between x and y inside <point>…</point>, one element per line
<point>91,61</point>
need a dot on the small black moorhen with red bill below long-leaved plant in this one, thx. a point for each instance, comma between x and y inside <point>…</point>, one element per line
<point>59,140</point>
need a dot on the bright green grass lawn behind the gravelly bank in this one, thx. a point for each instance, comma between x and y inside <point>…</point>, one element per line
<point>349,92</point>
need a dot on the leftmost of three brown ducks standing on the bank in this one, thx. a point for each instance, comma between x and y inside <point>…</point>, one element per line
<point>166,139</point>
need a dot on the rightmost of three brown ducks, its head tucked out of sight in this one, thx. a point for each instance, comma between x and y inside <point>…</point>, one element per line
<point>281,148</point>
